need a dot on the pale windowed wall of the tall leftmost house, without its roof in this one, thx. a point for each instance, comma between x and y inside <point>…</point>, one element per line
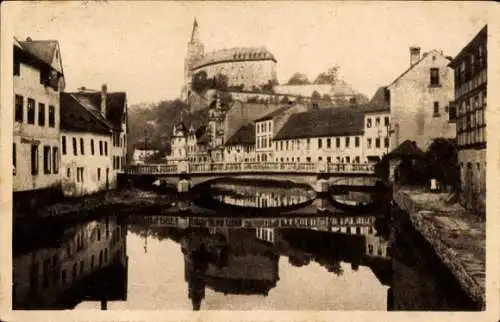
<point>33,167</point>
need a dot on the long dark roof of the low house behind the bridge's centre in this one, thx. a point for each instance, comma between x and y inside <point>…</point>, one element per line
<point>338,121</point>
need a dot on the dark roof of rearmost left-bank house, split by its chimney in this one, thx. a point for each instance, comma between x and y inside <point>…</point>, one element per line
<point>115,105</point>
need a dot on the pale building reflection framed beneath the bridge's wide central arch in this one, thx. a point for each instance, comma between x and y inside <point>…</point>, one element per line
<point>261,197</point>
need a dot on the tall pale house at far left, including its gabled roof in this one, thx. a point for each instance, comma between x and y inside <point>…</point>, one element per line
<point>38,79</point>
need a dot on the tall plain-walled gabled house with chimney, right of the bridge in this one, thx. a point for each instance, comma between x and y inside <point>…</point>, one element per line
<point>420,98</point>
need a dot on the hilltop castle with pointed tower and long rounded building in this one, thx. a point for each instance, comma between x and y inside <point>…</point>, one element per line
<point>246,68</point>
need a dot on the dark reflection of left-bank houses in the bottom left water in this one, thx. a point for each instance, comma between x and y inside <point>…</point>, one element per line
<point>89,263</point>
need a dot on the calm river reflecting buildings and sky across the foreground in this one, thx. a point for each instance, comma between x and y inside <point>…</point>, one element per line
<point>306,255</point>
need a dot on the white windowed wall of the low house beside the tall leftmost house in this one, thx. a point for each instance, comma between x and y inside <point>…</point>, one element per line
<point>86,163</point>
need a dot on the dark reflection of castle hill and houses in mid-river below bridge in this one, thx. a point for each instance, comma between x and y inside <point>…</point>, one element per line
<point>241,256</point>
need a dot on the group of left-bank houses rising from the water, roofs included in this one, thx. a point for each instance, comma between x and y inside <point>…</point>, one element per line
<point>69,144</point>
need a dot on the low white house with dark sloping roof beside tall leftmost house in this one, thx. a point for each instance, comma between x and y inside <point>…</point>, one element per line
<point>86,138</point>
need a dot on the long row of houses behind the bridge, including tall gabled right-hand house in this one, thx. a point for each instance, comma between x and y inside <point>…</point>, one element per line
<point>414,108</point>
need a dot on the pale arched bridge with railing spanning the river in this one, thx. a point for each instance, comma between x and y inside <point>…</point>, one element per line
<point>352,176</point>
